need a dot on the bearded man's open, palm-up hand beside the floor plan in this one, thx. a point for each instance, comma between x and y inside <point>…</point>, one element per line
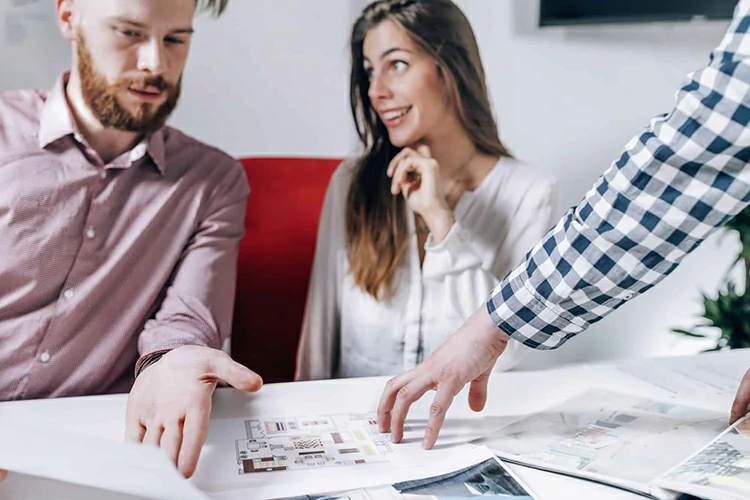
<point>170,403</point>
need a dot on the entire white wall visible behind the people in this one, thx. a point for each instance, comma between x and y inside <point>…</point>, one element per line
<point>270,78</point>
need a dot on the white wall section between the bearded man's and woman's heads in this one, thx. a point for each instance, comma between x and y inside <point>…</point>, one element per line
<point>271,77</point>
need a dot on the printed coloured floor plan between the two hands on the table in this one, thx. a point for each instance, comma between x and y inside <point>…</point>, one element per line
<point>282,444</point>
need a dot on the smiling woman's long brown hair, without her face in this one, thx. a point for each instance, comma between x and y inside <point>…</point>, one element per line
<point>377,234</point>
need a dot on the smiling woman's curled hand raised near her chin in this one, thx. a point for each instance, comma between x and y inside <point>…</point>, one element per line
<point>415,174</point>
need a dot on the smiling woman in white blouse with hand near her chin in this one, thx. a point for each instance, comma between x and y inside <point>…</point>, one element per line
<point>417,231</point>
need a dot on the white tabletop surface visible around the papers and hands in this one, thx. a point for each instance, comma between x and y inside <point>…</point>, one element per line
<point>511,394</point>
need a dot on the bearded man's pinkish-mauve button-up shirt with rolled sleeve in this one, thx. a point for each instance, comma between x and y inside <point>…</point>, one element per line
<point>103,263</point>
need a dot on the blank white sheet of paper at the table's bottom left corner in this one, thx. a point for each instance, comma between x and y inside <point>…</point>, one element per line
<point>81,459</point>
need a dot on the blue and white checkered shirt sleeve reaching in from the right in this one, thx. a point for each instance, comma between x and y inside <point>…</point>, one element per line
<point>675,184</point>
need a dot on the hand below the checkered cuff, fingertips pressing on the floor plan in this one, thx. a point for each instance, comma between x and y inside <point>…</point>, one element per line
<point>468,356</point>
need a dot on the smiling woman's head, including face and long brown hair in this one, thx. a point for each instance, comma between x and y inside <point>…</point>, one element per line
<point>435,41</point>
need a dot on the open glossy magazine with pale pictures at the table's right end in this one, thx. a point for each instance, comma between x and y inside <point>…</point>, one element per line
<point>654,448</point>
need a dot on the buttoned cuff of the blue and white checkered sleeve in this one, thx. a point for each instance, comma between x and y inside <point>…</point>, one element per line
<point>520,312</point>
